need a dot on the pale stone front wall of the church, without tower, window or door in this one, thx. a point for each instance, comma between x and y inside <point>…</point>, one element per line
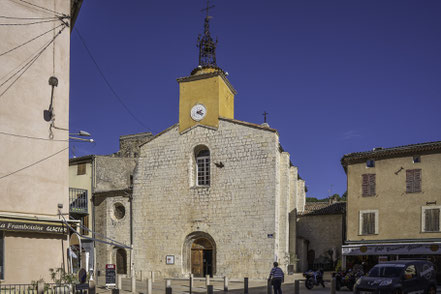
<point>241,210</point>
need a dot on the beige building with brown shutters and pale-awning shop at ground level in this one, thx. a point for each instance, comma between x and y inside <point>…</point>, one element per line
<point>394,202</point>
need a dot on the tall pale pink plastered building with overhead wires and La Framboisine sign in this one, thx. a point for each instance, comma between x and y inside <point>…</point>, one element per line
<point>34,137</point>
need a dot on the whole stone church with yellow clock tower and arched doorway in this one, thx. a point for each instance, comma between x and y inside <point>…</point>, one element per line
<point>213,195</point>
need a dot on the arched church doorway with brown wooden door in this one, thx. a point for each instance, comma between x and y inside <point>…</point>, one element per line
<point>200,254</point>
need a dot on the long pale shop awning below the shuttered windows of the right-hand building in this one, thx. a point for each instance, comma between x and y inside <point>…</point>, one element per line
<point>392,249</point>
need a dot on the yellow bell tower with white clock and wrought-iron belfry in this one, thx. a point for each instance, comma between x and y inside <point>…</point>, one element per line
<point>206,94</point>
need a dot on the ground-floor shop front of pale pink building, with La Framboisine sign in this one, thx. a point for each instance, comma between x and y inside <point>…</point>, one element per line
<point>29,247</point>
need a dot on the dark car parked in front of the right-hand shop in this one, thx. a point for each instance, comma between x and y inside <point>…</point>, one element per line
<point>399,277</point>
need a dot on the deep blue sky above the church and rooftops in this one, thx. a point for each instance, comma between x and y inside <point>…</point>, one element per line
<point>335,76</point>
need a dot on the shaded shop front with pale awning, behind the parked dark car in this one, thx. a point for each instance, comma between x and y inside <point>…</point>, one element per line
<point>370,254</point>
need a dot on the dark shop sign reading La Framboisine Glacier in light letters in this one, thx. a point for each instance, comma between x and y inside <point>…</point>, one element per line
<point>32,226</point>
